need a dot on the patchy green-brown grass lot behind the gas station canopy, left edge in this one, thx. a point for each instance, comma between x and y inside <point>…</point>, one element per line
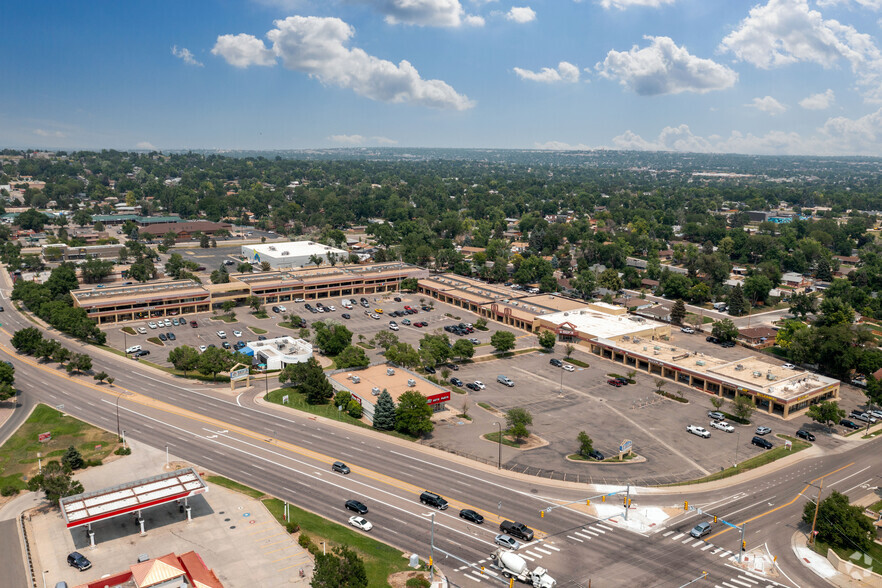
<point>18,456</point>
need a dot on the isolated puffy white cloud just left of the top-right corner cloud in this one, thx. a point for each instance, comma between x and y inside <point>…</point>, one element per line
<point>665,68</point>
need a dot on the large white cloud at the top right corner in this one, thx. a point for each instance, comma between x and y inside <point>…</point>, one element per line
<point>783,32</point>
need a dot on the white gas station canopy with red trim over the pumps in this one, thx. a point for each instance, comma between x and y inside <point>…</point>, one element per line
<point>106,503</point>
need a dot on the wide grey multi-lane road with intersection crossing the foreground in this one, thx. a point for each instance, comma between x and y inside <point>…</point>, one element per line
<point>288,454</point>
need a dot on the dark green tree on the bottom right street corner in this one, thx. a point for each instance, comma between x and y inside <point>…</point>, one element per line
<point>839,523</point>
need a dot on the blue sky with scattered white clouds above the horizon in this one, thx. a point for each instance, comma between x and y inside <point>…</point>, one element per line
<point>801,77</point>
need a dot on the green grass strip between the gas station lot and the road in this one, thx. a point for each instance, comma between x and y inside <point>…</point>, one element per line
<point>380,560</point>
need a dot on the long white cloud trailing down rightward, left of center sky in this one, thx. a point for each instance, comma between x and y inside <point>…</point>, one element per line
<point>317,46</point>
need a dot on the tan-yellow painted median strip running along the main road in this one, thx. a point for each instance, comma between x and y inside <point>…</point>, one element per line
<point>146,401</point>
